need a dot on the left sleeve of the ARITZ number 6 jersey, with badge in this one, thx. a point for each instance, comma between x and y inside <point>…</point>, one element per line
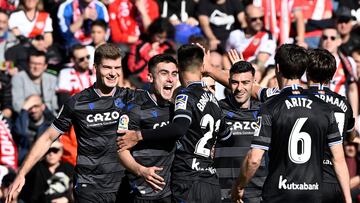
<point>262,135</point>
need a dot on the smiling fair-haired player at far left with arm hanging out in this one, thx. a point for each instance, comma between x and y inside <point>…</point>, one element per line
<point>94,112</point>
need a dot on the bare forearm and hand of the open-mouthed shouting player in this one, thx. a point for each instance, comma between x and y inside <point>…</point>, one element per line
<point>149,173</point>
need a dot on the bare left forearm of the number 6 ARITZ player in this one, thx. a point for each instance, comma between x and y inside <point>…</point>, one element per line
<point>249,166</point>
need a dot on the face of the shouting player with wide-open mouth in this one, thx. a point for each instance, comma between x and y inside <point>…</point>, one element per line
<point>164,79</point>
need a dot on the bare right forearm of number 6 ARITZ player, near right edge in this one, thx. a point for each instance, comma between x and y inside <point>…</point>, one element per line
<point>341,170</point>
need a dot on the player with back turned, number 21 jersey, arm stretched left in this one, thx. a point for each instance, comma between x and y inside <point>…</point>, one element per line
<point>197,123</point>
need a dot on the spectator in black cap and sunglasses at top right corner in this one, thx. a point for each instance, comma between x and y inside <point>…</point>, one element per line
<point>344,25</point>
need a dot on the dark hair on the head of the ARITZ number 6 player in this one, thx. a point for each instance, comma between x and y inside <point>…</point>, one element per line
<point>292,60</point>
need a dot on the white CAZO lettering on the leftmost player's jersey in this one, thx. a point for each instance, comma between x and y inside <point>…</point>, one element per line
<point>106,118</point>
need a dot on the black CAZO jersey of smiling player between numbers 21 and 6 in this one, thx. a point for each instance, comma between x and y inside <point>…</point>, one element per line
<point>230,154</point>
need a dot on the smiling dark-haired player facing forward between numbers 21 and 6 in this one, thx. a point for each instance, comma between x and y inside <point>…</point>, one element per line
<point>241,113</point>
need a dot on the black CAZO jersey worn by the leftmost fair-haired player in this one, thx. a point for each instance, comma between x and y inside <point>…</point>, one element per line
<point>95,119</point>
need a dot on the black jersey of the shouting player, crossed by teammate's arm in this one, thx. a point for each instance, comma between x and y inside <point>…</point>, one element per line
<point>146,113</point>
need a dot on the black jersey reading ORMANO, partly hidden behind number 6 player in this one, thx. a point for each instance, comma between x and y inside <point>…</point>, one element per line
<point>344,118</point>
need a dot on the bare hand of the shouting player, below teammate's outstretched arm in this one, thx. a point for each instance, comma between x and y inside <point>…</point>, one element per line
<point>153,179</point>
